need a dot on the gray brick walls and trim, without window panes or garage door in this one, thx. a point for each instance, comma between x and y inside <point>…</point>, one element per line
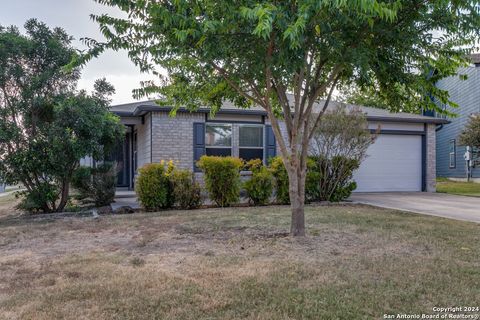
<point>161,137</point>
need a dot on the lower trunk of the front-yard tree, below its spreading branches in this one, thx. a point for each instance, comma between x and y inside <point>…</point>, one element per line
<point>296,183</point>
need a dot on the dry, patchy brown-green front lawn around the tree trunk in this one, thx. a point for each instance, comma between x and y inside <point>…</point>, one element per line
<point>238,263</point>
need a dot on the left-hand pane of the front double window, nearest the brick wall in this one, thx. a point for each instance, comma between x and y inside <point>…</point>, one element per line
<point>218,140</point>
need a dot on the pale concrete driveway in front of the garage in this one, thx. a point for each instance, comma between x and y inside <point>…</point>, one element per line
<point>435,204</point>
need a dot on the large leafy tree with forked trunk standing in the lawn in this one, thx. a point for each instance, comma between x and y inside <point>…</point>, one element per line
<point>256,52</point>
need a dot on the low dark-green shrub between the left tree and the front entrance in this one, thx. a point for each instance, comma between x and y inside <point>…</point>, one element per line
<point>97,184</point>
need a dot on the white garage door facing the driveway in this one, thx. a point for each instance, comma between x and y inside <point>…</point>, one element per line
<point>394,163</point>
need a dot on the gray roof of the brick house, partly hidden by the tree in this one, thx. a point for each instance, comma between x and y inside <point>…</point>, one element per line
<point>138,109</point>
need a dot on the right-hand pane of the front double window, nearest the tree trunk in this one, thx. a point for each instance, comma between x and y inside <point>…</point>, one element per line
<point>250,142</point>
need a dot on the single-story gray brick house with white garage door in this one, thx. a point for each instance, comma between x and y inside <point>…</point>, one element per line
<point>401,159</point>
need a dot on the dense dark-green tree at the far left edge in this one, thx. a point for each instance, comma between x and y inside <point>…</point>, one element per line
<point>45,126</point>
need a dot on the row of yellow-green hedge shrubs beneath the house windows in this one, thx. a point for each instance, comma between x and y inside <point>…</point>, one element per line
<point>162,185</point>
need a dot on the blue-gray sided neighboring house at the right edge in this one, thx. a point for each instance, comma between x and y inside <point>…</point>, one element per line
<point>466,93</point>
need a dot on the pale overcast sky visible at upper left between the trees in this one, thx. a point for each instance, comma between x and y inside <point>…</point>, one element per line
<point>73,16</point>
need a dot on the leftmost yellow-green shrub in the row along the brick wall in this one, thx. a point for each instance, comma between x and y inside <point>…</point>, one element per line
<point>153,186</point>
